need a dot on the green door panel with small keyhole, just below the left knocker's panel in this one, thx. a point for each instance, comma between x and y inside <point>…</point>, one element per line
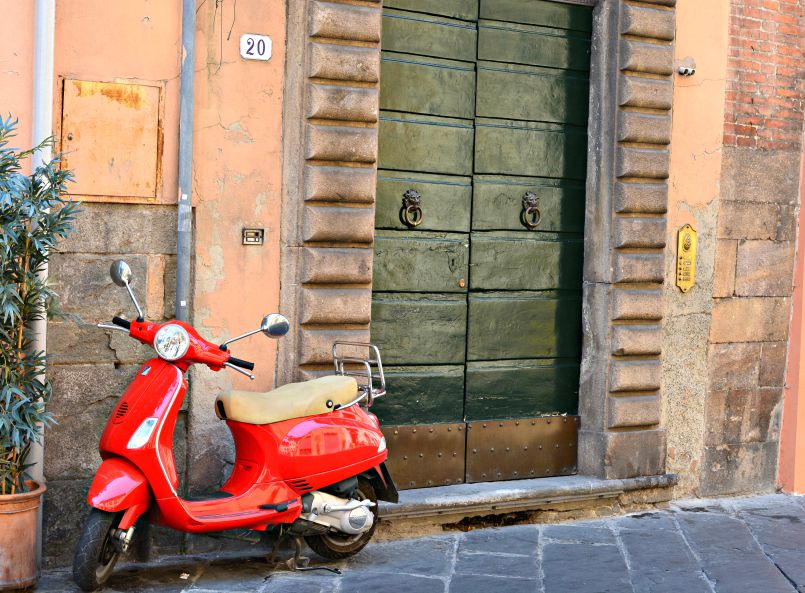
<point>420,261</point>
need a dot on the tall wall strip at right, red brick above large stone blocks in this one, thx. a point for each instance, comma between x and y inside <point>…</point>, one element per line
<point>756,241</point>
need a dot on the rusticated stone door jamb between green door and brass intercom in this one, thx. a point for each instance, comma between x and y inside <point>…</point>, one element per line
<point>620,400</point>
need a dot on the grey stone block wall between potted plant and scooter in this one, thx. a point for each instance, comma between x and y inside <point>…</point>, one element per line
<point>91,367</point>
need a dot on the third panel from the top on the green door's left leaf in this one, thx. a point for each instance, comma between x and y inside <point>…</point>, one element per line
<point>427,85</point>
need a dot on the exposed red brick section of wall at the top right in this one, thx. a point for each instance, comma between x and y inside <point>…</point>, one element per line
<point>765,74</point>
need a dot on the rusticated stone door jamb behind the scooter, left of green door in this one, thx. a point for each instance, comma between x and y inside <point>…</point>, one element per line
<point>331,114</point>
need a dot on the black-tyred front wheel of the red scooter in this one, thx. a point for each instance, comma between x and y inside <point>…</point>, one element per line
<point>96,555</point>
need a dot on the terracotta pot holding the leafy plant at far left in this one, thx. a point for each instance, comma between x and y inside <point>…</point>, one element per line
<point>19,514</point>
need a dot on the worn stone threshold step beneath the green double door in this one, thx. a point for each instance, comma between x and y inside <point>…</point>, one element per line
<point>514,495</point>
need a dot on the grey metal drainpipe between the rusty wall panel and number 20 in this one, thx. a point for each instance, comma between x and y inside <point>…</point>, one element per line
<point>184,237</point>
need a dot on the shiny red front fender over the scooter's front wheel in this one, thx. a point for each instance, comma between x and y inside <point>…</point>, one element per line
<point>119,486</point>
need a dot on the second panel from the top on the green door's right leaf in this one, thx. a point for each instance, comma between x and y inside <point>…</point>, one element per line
<point>535,46</point>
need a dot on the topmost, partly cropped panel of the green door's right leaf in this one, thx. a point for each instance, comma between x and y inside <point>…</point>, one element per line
<point>538,12</point>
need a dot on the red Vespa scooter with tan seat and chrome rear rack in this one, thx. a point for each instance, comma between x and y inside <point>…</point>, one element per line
<point>309,458</point>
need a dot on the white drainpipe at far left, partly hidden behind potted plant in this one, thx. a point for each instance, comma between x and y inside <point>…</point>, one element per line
<point>42,128</point>
